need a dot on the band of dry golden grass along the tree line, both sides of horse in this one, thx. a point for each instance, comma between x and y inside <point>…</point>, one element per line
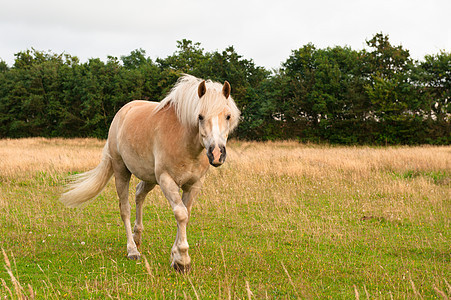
<point>20,156</point>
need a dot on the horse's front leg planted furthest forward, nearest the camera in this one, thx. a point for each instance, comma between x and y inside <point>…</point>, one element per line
<point>180,258</point>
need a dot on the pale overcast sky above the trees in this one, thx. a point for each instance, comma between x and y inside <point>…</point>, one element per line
<point>265,31</point>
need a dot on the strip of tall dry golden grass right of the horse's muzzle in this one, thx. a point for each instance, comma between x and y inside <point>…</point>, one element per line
<point>292,158</point>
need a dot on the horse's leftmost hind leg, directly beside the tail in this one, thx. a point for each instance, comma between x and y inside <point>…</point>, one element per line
<point>122,178</point>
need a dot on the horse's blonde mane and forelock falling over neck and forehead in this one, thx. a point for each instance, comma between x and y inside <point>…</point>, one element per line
<point>185,100</point>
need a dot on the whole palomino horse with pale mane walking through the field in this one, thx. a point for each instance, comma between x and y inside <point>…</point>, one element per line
<point>171,144</point>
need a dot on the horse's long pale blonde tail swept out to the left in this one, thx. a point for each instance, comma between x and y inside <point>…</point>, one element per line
<point>88,185</point>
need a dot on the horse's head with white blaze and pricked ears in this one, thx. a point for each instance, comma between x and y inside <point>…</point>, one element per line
<point>218,116</point>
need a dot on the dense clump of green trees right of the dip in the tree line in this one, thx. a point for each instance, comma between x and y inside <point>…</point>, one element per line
<point>380,96</point>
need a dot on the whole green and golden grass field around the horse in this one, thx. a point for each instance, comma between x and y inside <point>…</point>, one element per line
<point>277,221</point>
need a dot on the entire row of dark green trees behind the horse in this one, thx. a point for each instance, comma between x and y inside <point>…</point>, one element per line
<point>378,95</point>
